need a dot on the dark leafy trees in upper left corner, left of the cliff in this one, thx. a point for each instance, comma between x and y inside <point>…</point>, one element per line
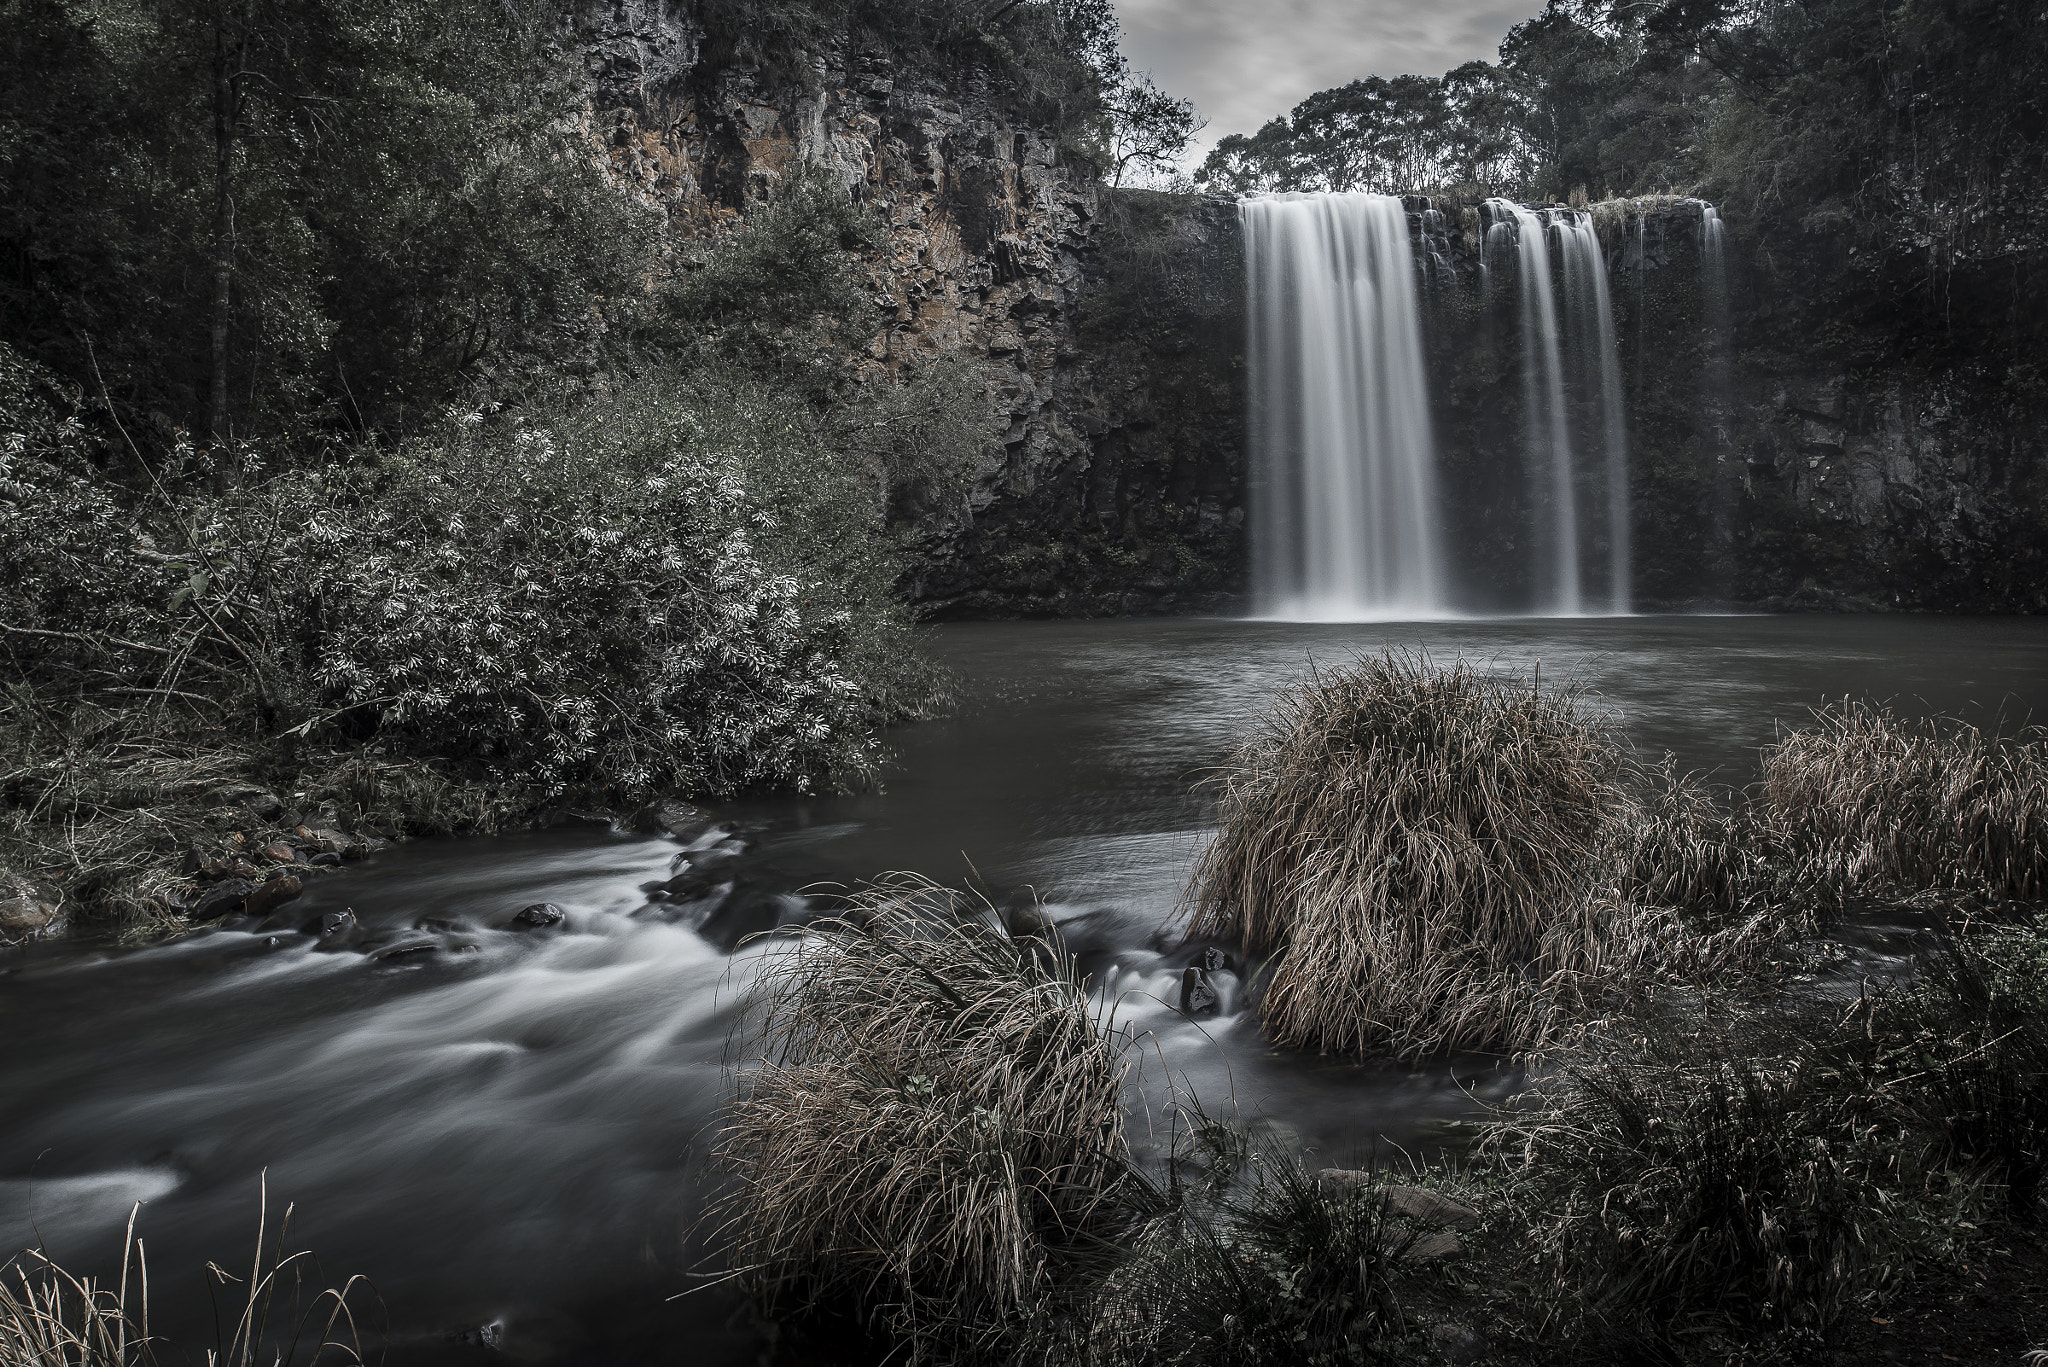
<point>366,206</point>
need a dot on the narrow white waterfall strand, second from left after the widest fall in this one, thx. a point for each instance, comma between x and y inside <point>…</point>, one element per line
<point>1553,489</point>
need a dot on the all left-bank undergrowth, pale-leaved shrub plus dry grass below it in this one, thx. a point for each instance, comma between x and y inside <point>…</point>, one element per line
<point>675,589</point>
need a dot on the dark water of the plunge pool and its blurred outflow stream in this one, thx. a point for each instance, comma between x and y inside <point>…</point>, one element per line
<point>503,1134</point>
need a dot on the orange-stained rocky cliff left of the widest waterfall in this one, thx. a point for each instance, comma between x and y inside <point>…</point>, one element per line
<point>1119,470</point>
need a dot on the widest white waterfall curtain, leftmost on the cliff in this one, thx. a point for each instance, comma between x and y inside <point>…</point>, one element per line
<point>1342,452</point>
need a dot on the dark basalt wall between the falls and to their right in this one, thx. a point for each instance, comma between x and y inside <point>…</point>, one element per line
<point>1781,460</point>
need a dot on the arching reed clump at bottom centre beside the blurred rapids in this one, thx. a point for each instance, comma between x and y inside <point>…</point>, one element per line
<point>933,1128</point>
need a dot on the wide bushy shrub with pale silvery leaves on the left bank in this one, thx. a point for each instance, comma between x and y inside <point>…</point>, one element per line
<point>677,589</point>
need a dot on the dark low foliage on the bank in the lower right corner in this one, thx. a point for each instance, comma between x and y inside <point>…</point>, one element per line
<point>1734,1169</point>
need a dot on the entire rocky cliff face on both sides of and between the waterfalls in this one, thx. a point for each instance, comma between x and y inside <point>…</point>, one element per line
<point>1809,472</point>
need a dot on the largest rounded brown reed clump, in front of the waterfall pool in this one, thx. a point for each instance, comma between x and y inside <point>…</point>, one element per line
<point>1449,860</point>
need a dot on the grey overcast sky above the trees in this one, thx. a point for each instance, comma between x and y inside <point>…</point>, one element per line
<point>1252,60</point>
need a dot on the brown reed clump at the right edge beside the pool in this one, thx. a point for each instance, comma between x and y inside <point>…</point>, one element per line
<point>1869,798</point>
